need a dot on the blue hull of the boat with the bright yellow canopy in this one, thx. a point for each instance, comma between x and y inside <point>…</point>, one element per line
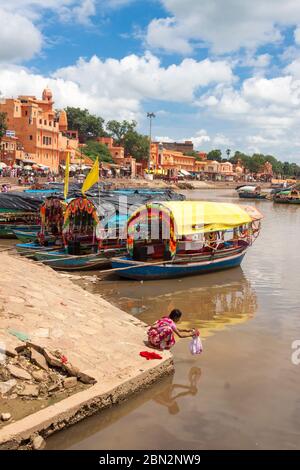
<point>145,271</point>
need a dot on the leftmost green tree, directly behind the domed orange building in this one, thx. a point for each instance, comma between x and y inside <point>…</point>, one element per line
<point>88,125</point>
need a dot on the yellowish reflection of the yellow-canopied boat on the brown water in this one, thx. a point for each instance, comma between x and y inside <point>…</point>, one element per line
<point>210,303</point>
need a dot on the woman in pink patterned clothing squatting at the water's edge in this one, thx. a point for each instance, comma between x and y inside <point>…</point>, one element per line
<point>161,333</point>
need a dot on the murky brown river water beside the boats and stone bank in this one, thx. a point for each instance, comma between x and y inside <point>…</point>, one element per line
<point>243,391</point>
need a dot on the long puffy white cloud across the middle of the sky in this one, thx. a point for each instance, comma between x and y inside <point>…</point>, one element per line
<point>139,78</point>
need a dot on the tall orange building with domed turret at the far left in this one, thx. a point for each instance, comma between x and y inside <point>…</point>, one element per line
<point>37,128</point>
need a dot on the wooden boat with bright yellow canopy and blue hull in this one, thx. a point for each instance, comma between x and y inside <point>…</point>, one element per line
<point>174,239</point>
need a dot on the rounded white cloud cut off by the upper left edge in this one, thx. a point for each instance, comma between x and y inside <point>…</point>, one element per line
<point>19,38</point>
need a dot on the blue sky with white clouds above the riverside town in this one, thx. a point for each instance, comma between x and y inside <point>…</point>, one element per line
<point>223,73</point>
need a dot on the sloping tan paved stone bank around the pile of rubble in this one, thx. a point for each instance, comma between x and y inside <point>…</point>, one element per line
<point>100,340</point>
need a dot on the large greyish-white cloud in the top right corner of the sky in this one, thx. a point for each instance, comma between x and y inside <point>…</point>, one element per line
<point>223,25</point>
